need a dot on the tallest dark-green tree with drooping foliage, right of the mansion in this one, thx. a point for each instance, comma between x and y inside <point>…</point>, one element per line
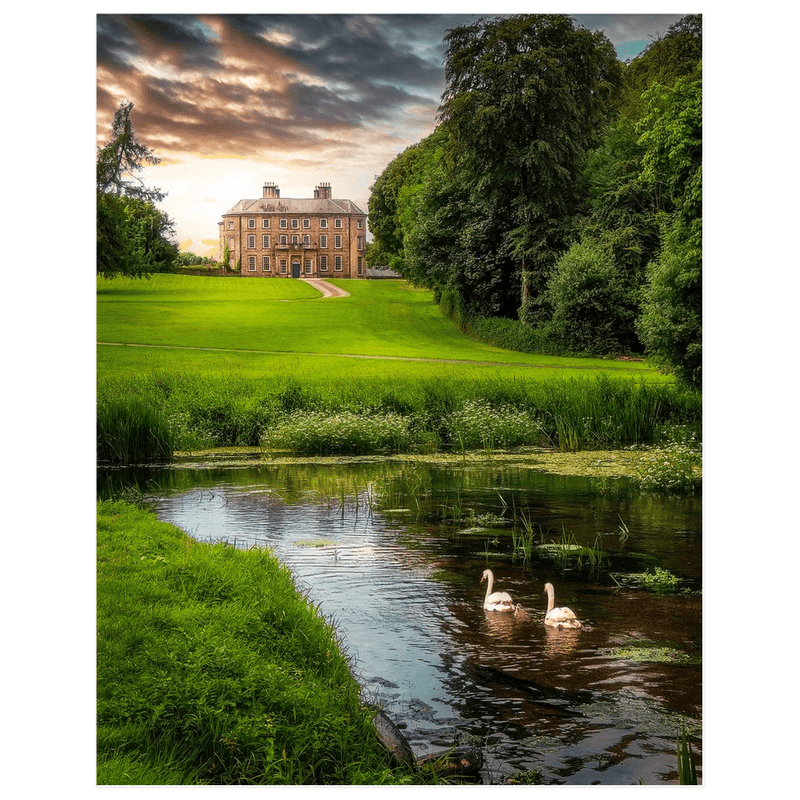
<point>525,97</point>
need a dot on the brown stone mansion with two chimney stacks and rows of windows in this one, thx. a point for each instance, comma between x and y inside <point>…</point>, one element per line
<point>292,238</point>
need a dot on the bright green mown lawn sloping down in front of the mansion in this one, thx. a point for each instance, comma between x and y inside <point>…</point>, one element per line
<point>260,327</point>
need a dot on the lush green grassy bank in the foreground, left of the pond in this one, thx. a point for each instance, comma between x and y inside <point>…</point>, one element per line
<point>213,669</point>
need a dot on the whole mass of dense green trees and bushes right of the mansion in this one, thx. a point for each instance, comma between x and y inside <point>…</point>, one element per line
<point>557,207</point>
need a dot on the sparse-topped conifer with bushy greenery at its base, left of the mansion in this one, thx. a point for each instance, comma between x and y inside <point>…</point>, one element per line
<point>134,238</point>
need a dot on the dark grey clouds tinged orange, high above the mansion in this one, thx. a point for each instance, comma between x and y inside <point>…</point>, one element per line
<point>251,86</point>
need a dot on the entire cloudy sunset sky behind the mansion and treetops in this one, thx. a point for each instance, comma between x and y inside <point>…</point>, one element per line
<point>229,102</point>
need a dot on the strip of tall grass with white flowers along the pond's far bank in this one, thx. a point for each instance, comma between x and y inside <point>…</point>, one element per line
<point>395,415</point>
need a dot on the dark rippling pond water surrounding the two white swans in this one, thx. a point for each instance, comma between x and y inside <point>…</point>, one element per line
<point>393,553</point>
